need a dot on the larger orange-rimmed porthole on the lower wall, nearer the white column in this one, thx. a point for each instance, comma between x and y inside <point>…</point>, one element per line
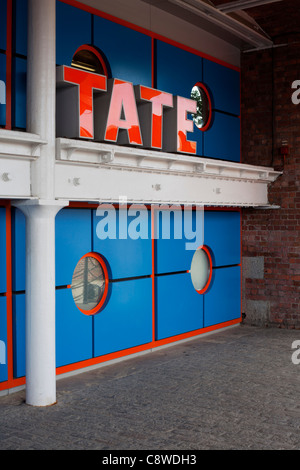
<point>90,284</point>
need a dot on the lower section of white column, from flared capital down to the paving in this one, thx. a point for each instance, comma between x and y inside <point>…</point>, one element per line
<point>40,301</point>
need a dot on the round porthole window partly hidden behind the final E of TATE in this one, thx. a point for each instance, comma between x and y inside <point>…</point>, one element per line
<point>203,116</point>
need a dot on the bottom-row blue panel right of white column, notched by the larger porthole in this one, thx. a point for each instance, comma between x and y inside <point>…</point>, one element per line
<point>74,341</point>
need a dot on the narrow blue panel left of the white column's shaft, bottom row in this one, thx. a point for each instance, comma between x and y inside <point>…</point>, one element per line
<point>19,348</point>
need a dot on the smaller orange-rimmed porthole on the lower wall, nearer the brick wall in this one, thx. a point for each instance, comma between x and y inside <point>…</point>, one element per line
<point>201,269</point>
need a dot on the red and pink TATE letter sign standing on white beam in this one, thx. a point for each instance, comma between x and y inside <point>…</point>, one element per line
<point>91,106</point>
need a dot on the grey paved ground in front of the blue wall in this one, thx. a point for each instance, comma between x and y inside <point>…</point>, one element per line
<point>235,389</point>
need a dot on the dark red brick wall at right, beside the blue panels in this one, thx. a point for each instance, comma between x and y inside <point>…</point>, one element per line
<point>268,118</point>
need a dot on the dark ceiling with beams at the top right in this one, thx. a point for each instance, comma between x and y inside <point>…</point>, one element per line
<point>270,22</point>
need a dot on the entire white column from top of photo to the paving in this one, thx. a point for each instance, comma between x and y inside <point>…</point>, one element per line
<point>40,212</point>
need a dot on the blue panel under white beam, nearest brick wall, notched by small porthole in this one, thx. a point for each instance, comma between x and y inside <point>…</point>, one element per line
<point>222,235</point>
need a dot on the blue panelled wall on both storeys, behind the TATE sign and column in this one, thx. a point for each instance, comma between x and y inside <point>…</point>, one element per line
<point>126,320</point>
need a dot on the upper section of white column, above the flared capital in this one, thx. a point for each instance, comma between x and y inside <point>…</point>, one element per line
<point>41,91</point>
